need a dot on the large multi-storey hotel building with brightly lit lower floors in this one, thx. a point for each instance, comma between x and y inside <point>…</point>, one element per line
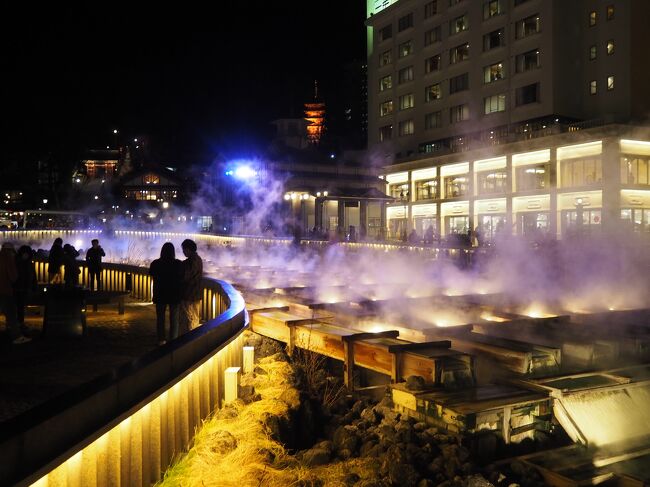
<point>523,116</point>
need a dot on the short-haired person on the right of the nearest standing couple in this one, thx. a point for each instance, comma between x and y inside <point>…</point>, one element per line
<point>191,287</point>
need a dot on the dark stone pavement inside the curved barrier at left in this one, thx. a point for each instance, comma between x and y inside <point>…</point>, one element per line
<point>45,367</point>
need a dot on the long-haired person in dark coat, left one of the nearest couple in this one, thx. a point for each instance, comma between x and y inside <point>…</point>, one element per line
<point>166,274</point>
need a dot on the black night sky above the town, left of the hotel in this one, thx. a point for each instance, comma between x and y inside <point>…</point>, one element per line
<point>193,80</point>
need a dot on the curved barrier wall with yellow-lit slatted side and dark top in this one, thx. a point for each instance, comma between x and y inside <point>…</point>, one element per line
<point>126,427</point>
